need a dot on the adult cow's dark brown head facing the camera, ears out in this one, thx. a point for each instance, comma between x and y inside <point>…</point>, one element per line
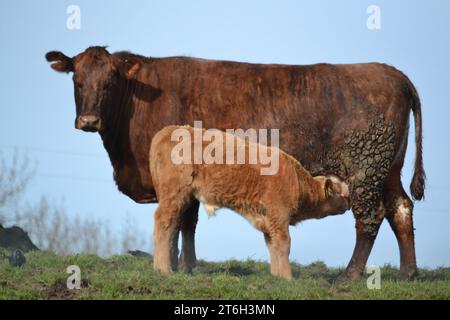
<point>95,72</point>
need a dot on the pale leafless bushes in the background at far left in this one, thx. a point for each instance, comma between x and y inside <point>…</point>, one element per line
<point>50,226</point>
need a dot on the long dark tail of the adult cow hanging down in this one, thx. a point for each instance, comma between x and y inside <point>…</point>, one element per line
<point>417,186</point>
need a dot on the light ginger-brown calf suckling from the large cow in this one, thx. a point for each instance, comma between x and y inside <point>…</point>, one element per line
<point>270,202</point>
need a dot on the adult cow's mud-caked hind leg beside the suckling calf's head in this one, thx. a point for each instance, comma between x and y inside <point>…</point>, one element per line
<point>369,155</point>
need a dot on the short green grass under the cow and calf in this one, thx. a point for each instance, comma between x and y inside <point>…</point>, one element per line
<point>127,277</point>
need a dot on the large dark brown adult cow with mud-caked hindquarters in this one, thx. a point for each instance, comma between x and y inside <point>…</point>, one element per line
<point>350,120</point>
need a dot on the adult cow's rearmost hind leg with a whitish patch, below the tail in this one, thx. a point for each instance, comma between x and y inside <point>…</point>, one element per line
<point>399,209</point>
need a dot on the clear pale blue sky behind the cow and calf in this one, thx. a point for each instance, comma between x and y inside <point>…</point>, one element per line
<point>37,108</point>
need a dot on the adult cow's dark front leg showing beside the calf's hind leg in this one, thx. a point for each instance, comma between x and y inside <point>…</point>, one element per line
<point>189,220</point>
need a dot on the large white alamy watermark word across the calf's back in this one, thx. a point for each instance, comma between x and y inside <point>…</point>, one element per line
<point>228,148</point>
